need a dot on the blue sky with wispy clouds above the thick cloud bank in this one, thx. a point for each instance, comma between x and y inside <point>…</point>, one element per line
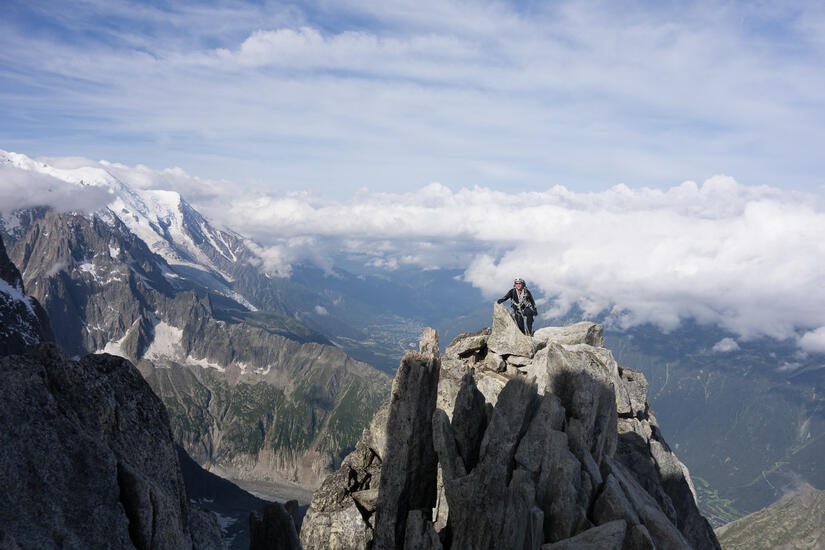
<point>333,97</point>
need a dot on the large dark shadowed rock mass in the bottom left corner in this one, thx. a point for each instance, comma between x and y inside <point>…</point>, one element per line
<point>87,458</point>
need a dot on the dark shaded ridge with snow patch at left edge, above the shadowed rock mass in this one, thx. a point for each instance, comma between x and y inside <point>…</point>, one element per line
<point>23,323</point>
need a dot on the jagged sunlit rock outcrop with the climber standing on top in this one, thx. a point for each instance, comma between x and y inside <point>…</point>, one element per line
<point>558,450</point>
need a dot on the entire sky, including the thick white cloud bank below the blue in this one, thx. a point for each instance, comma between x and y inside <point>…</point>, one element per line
<point>658,161</point>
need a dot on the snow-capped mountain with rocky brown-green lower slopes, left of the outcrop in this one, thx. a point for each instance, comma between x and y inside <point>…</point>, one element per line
<point>252,394</point>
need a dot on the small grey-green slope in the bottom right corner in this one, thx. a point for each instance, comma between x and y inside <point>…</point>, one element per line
<point>794,521</point>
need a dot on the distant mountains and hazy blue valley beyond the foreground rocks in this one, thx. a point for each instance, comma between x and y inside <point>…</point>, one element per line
<point>187,299</point>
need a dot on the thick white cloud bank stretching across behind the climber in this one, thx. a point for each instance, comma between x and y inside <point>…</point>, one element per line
<point>746,258</point>
